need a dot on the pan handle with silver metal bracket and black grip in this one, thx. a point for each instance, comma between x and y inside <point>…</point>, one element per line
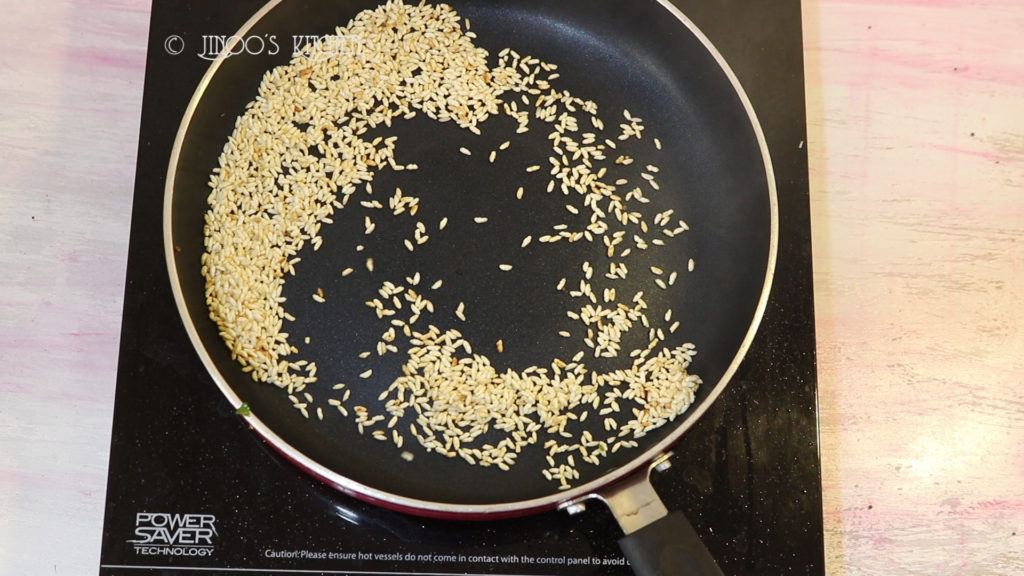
<point>657,543</point>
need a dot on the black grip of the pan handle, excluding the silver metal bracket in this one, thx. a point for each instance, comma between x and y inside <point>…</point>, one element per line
<point>669,547</point>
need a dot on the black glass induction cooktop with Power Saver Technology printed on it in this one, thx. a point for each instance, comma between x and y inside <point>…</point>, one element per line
<point>193,490</point>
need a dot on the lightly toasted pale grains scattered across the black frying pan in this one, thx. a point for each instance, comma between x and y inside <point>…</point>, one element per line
<point>581,167</point>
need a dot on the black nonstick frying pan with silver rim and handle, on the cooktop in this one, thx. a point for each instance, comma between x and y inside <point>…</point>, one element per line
<point>645,57</point>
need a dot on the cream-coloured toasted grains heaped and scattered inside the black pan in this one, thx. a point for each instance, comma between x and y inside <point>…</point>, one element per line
<point>301,154</point>
